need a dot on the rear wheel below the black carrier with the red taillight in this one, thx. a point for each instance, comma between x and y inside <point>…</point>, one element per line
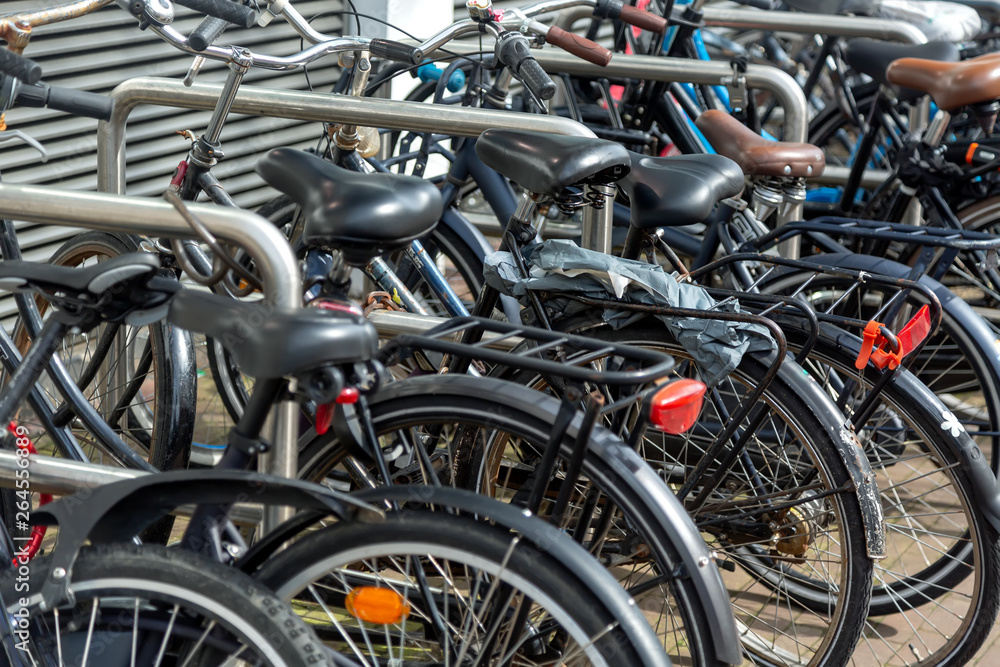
<point>438,412</point>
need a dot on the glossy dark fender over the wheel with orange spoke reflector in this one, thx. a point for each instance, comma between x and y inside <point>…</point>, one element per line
<point>546,538</point>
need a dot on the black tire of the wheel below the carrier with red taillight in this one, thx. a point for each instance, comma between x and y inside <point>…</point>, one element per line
<point>511,409</point>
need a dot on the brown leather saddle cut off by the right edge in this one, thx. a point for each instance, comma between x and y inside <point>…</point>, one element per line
<point>951,85</point>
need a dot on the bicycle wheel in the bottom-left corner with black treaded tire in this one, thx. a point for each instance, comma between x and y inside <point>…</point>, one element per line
<point>149,605</point>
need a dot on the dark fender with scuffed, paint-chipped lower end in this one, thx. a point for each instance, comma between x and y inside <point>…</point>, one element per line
<point>850,451</point>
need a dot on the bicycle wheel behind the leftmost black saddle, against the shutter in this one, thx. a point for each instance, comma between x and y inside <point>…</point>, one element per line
<point>162,424</point>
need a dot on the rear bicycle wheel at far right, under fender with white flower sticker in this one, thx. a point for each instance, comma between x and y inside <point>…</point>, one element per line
<point>938,589</point>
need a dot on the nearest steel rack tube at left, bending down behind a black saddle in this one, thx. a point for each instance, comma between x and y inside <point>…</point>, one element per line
<point>115,213</point>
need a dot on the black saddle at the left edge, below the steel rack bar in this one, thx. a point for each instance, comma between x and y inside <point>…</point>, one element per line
<point>89,281</point>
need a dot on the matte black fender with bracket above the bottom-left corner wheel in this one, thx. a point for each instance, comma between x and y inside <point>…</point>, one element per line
<point>119,511</point>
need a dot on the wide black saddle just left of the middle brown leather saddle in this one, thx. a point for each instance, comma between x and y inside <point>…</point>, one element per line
<point>681,190</point>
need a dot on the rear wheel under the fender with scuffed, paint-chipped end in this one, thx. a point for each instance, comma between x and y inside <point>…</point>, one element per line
<point>786,398</point>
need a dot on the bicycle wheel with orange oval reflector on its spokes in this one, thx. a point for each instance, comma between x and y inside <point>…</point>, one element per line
<point>487,597</point>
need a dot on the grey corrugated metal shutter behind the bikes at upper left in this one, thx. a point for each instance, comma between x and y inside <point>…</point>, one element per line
<point>98,52</point>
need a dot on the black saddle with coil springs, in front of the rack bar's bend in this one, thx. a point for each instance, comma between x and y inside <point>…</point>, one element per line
<point>547,164</point>
